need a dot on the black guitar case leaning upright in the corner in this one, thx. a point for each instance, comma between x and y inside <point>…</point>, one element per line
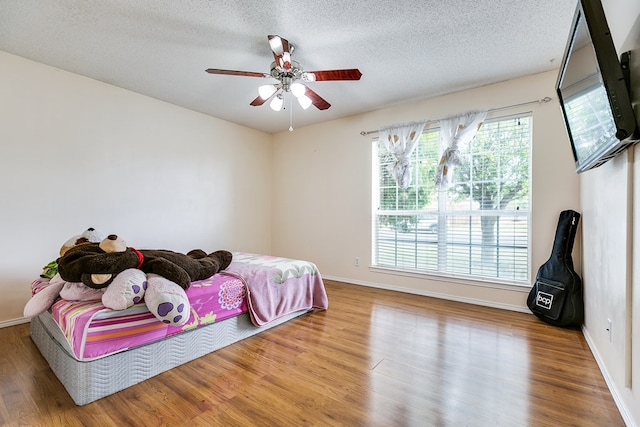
<point>556,296</point>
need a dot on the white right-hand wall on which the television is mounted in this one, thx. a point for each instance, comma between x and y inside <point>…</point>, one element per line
<point>610,197</point>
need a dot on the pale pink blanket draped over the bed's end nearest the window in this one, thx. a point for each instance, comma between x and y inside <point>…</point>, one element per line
<point>278,286</point>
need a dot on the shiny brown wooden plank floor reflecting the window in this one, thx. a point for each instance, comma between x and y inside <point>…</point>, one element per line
<point>375,358</point>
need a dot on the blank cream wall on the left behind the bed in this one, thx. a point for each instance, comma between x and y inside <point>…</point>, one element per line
<point>76,153</point>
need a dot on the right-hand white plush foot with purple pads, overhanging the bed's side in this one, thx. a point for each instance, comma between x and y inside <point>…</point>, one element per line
<point>167,301</point>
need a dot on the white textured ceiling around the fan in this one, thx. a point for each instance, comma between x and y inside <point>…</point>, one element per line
<point>405,49</point>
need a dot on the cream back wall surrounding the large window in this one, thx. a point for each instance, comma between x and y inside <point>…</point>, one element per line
<point>322,208</point>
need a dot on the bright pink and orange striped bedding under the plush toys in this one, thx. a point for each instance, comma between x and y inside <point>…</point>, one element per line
<point>94,331</point>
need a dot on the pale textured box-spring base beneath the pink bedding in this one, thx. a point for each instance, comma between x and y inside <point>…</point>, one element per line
<point>89,381</point>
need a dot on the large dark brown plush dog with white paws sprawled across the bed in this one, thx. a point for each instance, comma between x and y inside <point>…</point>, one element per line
<point>112,265</point>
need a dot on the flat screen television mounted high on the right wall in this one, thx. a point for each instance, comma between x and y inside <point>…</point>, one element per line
<point>593,91</point>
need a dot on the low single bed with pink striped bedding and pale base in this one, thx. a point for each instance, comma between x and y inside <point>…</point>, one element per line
<point>95,351</point>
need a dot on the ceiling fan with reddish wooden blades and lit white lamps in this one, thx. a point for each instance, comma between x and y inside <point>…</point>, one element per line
<point>290,74</point>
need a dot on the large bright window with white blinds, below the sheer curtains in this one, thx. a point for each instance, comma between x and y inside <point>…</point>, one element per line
<point>479,227</point>
